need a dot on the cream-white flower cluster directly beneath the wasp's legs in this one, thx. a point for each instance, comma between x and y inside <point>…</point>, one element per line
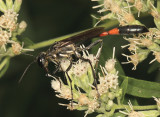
<point>84,94</point>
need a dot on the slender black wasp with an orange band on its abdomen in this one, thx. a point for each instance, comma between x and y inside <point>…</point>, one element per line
<point>65,49</point>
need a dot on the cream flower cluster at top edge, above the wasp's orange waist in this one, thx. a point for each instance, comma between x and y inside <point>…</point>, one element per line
<point>116,10</point>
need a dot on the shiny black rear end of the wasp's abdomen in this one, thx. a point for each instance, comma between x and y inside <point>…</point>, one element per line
<point>132,29</point>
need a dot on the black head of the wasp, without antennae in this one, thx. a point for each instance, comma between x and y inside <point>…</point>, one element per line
<point>41,60</point>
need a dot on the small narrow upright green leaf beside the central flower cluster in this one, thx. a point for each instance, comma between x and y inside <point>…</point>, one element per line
<point>124,86</point>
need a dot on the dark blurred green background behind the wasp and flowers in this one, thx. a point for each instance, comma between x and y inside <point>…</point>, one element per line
<point>46,19</point>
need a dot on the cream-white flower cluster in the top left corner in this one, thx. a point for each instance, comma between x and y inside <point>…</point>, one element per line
<point>9,28</point>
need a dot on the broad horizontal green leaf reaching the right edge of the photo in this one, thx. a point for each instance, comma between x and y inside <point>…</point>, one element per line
<point>141,88</point>
